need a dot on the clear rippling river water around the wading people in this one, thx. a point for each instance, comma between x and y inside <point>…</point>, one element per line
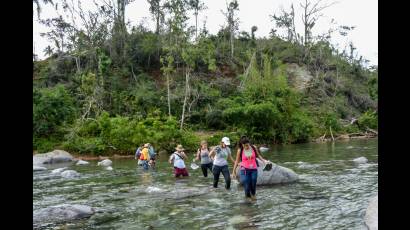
<point>332,193</point>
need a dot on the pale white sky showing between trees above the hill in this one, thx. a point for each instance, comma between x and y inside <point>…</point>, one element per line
<point>363,14</point>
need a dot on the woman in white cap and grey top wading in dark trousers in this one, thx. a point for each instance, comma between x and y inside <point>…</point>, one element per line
<point>221,153</point>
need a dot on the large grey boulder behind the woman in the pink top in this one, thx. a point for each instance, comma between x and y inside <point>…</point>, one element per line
<point>277,175</point>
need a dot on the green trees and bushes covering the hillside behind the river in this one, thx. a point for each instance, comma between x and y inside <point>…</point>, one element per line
<point>105,89</point>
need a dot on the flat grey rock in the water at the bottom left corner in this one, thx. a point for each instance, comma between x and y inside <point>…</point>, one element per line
<point>62,213</point>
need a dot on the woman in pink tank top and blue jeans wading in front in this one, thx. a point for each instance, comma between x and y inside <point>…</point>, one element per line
<point>246,159</point>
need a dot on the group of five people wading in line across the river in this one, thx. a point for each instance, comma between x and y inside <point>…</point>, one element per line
<point>216,161</point>
